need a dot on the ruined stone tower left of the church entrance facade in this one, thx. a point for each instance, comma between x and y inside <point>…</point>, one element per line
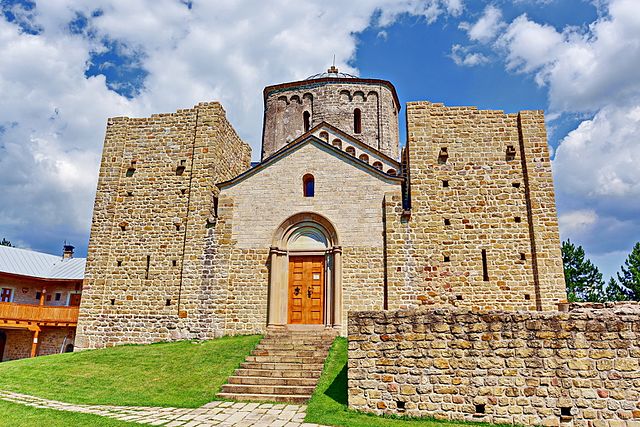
<point>154,200</point>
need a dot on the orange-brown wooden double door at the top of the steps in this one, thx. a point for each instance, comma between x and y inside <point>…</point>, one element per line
<point>306,289</point>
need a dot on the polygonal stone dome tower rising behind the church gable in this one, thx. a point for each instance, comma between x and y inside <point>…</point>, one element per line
<point>366,109</point>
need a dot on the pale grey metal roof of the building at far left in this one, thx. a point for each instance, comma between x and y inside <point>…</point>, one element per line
<point>37,264</point>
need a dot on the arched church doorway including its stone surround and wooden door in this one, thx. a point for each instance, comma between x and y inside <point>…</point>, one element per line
<point>305,285</point>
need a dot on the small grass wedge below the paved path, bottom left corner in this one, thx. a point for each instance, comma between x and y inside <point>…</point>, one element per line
<point>13,415</point>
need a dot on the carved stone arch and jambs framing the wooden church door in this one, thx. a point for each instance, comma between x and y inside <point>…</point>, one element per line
<point>302,234</point>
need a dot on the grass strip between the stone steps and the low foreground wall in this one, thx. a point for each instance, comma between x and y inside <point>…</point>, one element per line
<point>329,402</point>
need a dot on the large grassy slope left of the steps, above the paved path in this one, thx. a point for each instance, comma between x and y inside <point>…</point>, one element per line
<point>183,374</point>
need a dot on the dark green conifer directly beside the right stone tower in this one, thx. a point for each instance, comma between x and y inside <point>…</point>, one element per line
<point>583,279</point>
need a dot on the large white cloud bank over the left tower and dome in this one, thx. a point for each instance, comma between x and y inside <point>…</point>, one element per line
<point>68,65</point>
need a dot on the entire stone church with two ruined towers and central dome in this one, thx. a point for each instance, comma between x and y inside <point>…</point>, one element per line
<point>190,240</point>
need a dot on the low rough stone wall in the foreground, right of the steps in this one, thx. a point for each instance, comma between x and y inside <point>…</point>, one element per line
<point>577,368</point>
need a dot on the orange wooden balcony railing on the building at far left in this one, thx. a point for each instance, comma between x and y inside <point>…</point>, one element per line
<point>32,316</point>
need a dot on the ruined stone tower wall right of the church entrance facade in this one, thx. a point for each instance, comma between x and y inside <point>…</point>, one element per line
<point>479,181</point>
